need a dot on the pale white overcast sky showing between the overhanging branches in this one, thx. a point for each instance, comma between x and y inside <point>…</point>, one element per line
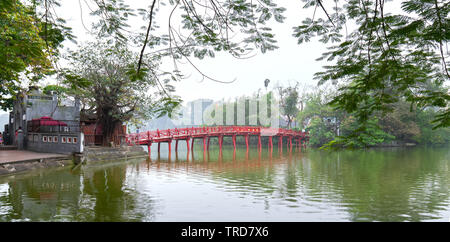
<point>288,64</point>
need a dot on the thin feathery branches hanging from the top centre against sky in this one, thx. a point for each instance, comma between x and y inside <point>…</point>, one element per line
<point>194,29</point>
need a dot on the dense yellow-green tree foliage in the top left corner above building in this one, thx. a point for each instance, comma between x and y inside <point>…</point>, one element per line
<point>27,46</point>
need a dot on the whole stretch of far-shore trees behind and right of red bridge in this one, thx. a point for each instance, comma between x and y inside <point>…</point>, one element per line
<point>332,127</point>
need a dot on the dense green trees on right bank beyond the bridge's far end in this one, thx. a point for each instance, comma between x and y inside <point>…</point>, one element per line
<point>329,128</point>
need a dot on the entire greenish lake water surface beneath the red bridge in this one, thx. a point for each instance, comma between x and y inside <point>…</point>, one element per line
<point>402,184</point>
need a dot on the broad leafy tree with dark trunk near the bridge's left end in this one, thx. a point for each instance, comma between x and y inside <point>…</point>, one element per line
<point>104,78</point>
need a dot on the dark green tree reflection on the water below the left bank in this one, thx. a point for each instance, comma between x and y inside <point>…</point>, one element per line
<point>97,193</point>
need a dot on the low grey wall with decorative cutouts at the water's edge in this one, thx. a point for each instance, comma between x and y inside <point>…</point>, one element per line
<point>44,142</point>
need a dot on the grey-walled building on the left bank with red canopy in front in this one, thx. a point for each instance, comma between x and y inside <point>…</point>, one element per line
<point>59,139</point>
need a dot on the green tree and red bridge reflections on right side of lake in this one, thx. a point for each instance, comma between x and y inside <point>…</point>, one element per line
<point>371,185</point>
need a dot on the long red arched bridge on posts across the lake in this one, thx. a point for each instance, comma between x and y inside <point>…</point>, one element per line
<point>206,133</point>
